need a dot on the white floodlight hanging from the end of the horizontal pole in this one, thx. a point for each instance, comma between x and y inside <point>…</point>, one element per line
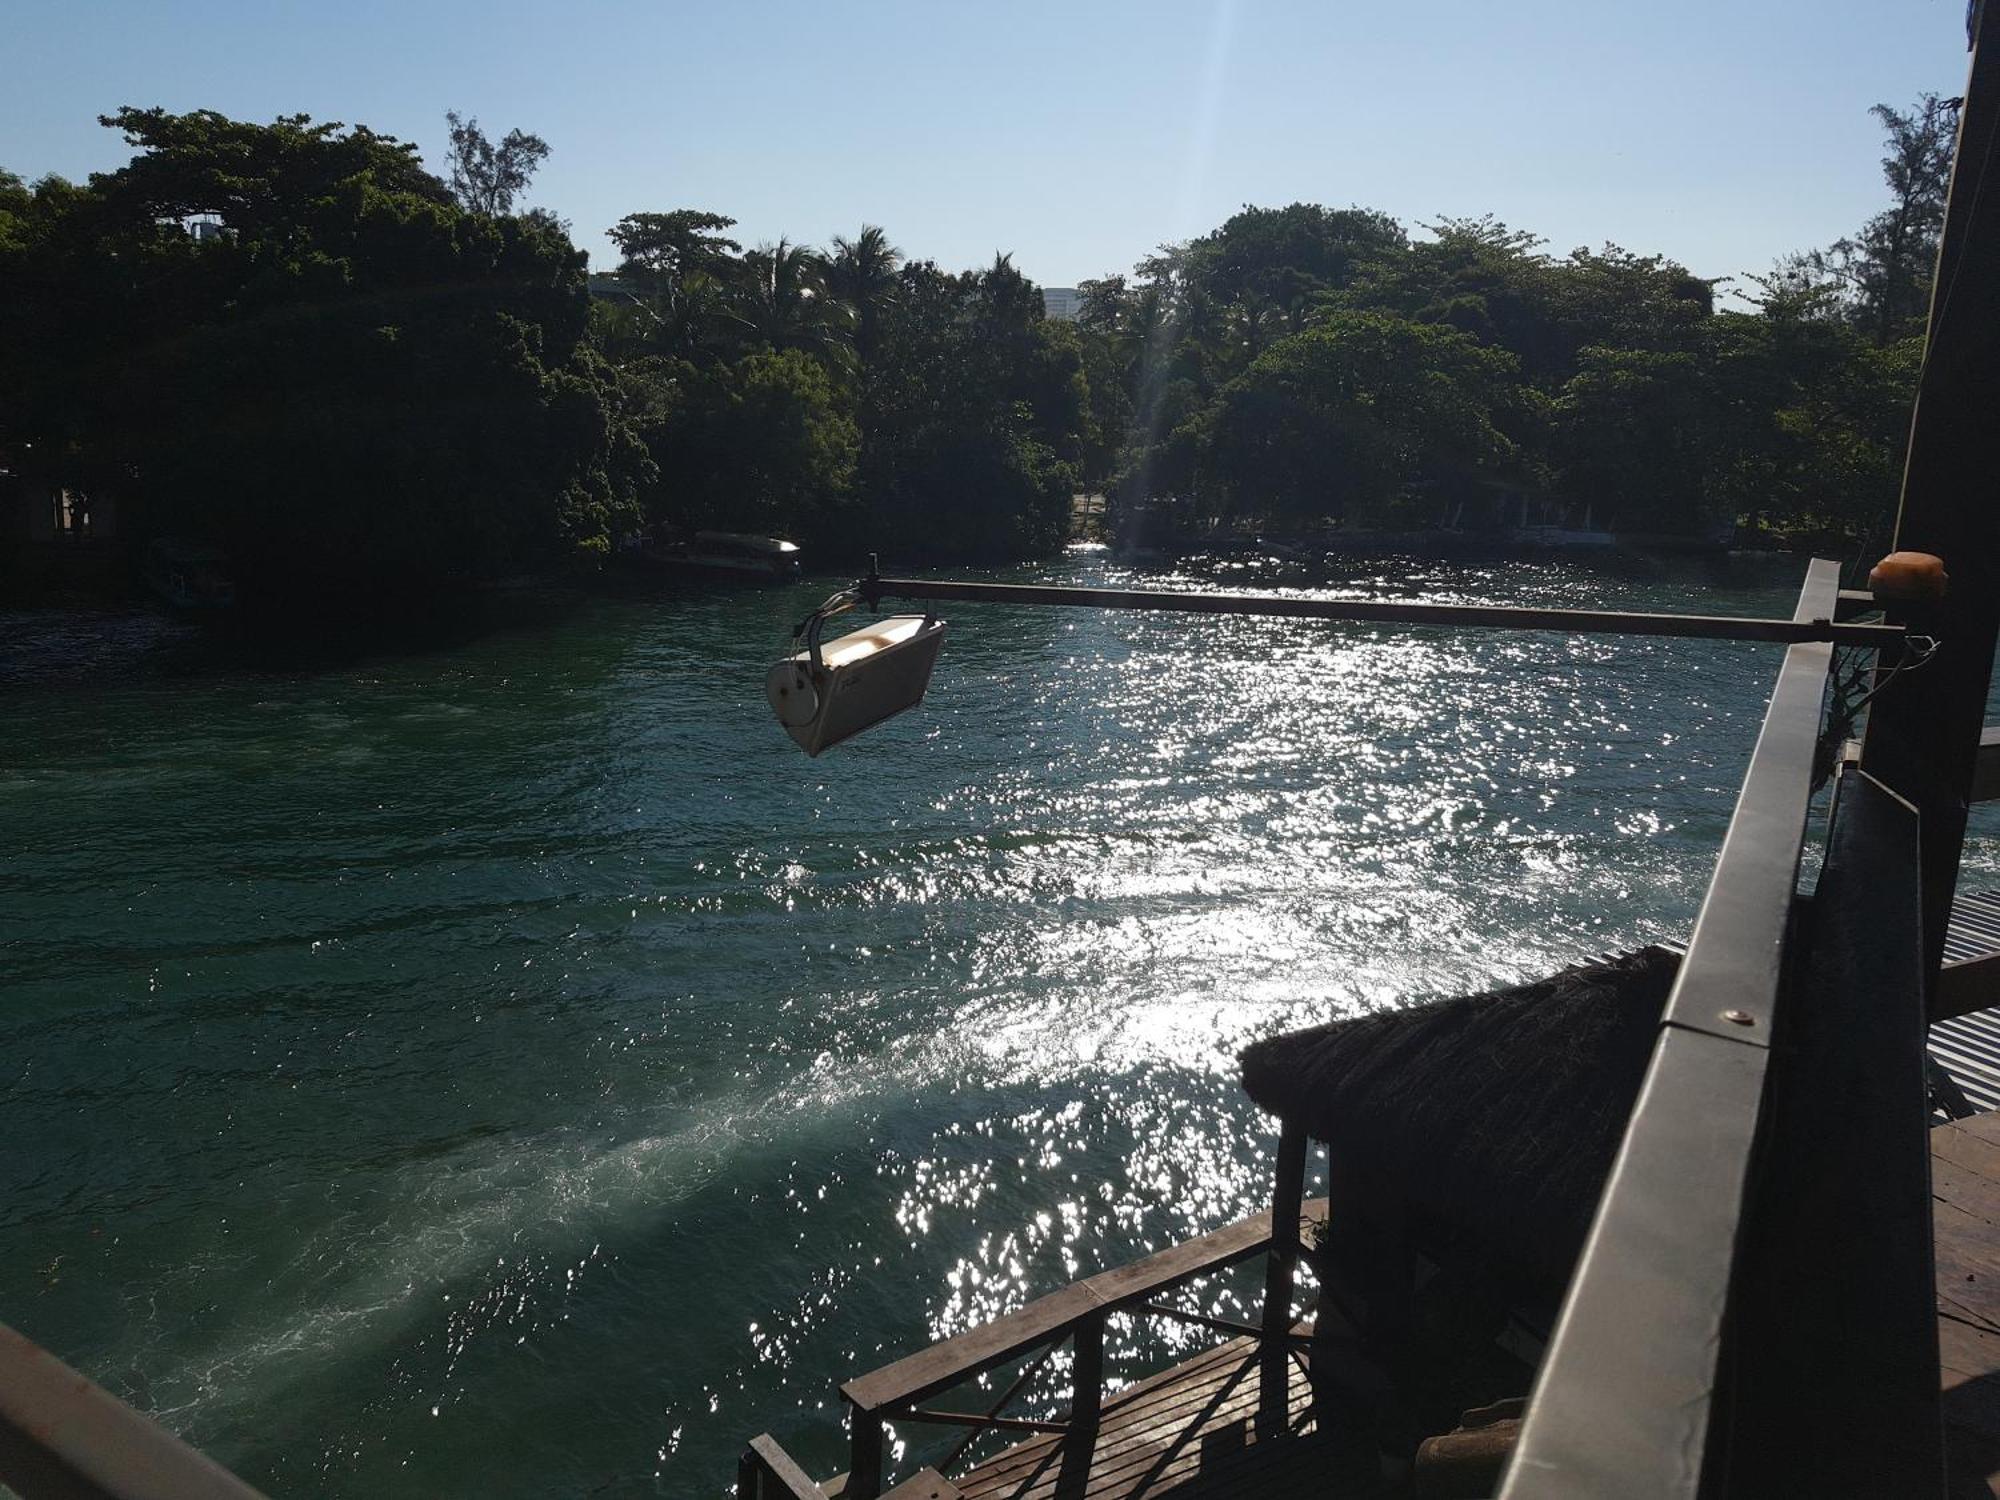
<point>837,689</point>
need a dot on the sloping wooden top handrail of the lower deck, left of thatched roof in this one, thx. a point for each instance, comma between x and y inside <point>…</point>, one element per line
<point>1057,1315</point>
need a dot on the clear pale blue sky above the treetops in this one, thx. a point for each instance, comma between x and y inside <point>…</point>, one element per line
<point>1073,135</point>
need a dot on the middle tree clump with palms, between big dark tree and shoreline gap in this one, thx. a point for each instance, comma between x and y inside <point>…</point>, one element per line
<point>853,399</point>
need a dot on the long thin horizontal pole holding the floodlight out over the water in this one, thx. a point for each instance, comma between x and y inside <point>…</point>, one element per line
<point>1499,617</point>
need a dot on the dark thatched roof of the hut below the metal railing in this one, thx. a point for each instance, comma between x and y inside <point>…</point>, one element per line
<point>1493,1117</point>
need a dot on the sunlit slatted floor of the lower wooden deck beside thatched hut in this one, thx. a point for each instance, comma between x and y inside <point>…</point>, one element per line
<point>1189,1433</point>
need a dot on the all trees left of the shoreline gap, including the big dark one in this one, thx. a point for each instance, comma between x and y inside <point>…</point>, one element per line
<point>301,345</point>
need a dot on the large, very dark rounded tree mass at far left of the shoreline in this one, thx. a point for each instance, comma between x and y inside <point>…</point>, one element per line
<point>353,385</point>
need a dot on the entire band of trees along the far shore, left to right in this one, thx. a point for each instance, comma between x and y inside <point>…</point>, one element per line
<point>371,385</point>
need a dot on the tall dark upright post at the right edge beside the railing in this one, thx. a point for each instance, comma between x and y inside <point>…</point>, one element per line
<point>1925,731</point>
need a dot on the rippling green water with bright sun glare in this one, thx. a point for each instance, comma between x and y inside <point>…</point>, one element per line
<point>511,1069</point>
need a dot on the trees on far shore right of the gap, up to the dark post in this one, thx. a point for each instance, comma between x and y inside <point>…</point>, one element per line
<point>1311,365</point>
